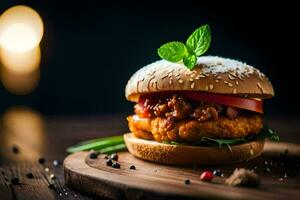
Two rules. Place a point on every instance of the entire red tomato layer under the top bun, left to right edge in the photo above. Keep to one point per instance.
(255, 105)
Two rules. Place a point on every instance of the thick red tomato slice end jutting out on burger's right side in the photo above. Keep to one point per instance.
(255, 105)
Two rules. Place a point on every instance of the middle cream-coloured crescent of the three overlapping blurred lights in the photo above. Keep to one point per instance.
(21, 62)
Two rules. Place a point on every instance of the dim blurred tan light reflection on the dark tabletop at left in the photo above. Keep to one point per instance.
(22, 126)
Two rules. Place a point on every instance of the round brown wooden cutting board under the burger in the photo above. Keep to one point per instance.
(155, 181)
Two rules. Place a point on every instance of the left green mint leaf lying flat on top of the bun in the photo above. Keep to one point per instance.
(172, 51)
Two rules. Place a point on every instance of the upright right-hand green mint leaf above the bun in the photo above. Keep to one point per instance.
(199, 41)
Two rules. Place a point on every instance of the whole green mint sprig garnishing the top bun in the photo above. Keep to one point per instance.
(196, 45)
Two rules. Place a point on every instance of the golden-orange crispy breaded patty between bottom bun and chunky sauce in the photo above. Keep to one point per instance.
(189, 130)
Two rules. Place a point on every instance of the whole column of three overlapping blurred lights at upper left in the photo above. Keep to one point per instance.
(21, 30)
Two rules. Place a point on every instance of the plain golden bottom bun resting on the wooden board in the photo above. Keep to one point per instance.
(191, 155)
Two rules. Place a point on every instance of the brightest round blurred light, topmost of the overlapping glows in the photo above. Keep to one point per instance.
(21, 29)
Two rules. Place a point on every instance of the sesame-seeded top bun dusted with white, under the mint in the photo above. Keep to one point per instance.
(212, 74)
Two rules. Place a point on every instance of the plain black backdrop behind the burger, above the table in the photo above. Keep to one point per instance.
(90, 49)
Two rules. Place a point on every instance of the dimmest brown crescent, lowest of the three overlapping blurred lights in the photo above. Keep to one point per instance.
(20, 83)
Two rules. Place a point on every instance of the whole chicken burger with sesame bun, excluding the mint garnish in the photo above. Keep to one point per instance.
(210, 115)
